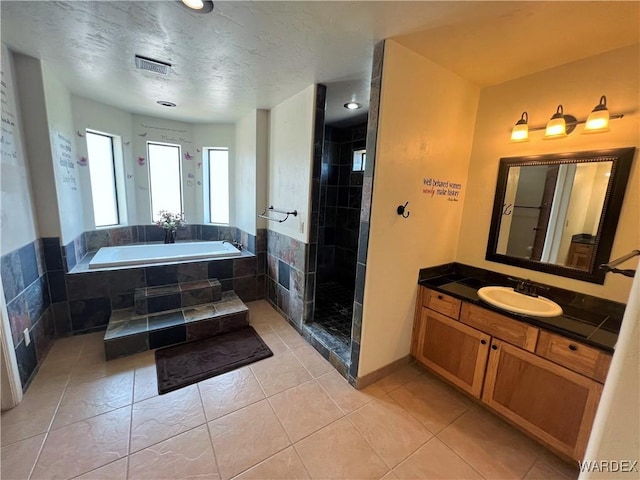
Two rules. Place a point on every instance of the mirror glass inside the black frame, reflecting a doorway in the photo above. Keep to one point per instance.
(552, 212)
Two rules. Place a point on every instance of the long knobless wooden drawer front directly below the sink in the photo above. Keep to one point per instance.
(516, 333)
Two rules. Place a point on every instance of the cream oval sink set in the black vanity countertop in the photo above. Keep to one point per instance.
(508, 299)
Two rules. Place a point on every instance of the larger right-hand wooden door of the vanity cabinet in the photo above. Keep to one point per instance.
(551, 402)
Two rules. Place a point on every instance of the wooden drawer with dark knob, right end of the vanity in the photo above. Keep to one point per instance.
(573, 355)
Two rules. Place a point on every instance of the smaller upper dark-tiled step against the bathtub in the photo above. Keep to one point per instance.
(149, 300)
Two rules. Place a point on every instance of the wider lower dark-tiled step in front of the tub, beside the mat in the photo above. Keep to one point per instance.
(129, 332)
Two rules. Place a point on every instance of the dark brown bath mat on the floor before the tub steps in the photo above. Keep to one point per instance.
(187, 363)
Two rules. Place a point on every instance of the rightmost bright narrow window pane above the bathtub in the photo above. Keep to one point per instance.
(218, 182)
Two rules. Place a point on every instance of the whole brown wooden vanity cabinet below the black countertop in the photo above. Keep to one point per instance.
(545, 383)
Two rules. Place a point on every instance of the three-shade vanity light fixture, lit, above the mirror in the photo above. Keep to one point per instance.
(561, 124)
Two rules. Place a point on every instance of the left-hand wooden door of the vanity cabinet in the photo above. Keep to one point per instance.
(453, 350)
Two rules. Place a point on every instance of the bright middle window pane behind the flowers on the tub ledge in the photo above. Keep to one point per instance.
(165, 178)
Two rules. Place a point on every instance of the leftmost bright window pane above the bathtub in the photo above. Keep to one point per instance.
(100, 151)
